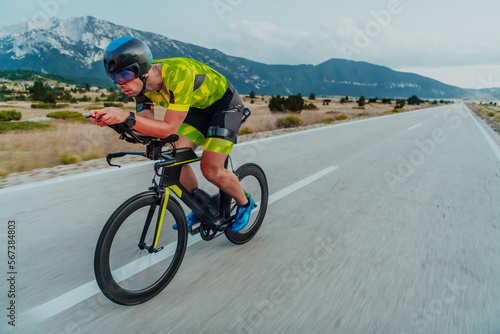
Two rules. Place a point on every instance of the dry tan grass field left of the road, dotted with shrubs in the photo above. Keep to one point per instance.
(67, 142)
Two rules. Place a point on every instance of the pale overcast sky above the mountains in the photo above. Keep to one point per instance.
(456, 42)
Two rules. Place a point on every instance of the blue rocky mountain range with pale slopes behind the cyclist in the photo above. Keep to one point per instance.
(74, 48)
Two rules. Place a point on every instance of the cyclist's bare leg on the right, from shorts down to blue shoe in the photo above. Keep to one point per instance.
(212, 167)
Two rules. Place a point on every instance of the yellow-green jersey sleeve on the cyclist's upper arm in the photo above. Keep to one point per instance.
(180, 82)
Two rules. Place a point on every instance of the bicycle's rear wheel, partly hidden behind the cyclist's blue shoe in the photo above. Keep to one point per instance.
(254, 184)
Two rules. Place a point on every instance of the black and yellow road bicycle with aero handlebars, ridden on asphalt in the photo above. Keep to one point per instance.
(138, 252)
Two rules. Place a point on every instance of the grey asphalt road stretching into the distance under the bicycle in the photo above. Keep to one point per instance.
(385, 225)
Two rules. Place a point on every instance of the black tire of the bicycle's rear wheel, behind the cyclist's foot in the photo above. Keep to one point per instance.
(249, 169)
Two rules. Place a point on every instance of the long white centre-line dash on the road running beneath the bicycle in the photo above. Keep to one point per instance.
(80, 294)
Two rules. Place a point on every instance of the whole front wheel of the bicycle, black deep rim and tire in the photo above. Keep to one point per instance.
(127, 272)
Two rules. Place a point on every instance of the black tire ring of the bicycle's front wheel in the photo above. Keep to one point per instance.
(110, 288)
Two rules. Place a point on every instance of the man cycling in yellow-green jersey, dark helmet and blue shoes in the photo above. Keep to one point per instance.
(202, 108)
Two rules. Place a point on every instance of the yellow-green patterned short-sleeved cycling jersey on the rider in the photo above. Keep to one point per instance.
(187, 83)
